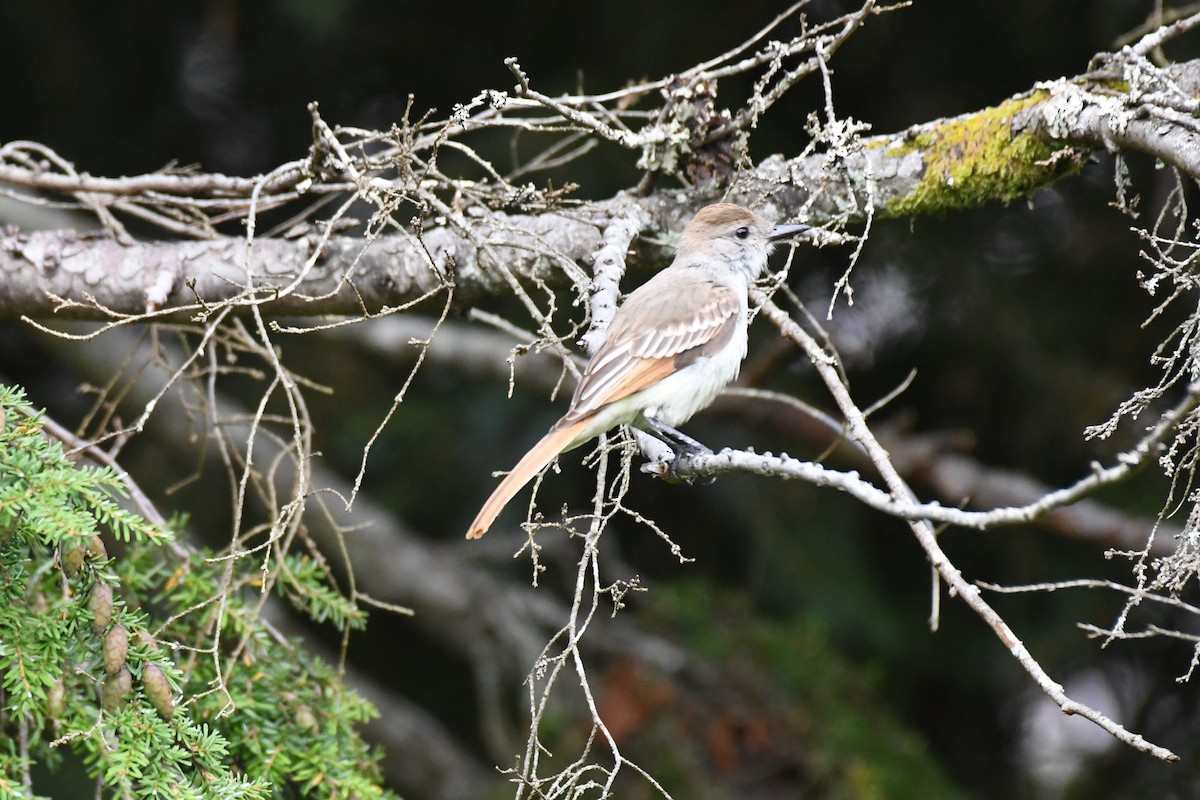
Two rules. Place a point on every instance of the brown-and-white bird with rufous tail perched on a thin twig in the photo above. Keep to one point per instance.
(673, 346)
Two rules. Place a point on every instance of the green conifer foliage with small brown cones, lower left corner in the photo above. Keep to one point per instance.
(139, 665)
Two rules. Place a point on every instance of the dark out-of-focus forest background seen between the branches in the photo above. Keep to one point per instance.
(1023, 324)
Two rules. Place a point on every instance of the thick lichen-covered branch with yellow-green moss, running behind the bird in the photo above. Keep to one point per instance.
(998, 154)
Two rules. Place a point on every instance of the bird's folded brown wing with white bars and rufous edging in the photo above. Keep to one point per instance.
(663, 327)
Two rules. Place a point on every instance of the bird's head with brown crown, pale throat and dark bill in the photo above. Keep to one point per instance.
(733, 234)
